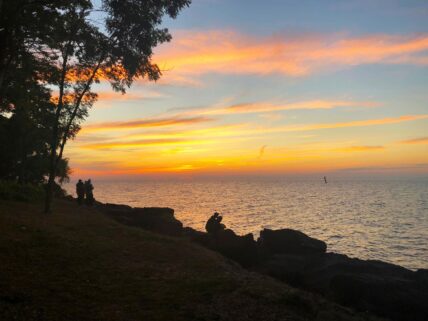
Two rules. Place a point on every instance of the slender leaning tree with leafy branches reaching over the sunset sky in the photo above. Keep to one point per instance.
(84, 55)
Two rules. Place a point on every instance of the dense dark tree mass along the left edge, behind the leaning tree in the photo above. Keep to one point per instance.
(25, 95)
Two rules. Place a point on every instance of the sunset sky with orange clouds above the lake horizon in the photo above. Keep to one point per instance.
(274, 87)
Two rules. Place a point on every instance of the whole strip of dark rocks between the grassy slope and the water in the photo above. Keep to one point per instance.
(384, 289)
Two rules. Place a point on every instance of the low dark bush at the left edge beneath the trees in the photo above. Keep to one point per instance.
(10, 190)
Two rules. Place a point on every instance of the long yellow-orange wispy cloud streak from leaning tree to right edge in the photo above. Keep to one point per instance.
(175, 129)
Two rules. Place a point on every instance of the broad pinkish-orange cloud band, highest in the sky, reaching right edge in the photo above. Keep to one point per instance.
(222, 51)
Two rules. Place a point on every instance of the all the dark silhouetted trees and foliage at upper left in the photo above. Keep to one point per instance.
(51, 55)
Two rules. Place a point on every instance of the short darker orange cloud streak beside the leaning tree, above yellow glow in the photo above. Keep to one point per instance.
(145, 123)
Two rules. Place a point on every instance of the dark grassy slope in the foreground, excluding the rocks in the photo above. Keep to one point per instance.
(77, 264)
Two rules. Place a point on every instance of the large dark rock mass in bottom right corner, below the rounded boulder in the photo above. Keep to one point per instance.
(385, 289)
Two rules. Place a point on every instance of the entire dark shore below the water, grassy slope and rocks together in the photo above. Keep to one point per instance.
(122, 248)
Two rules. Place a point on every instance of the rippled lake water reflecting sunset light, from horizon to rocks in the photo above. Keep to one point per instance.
(384, 220)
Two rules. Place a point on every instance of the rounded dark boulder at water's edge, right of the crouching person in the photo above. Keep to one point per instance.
(290, 242)
